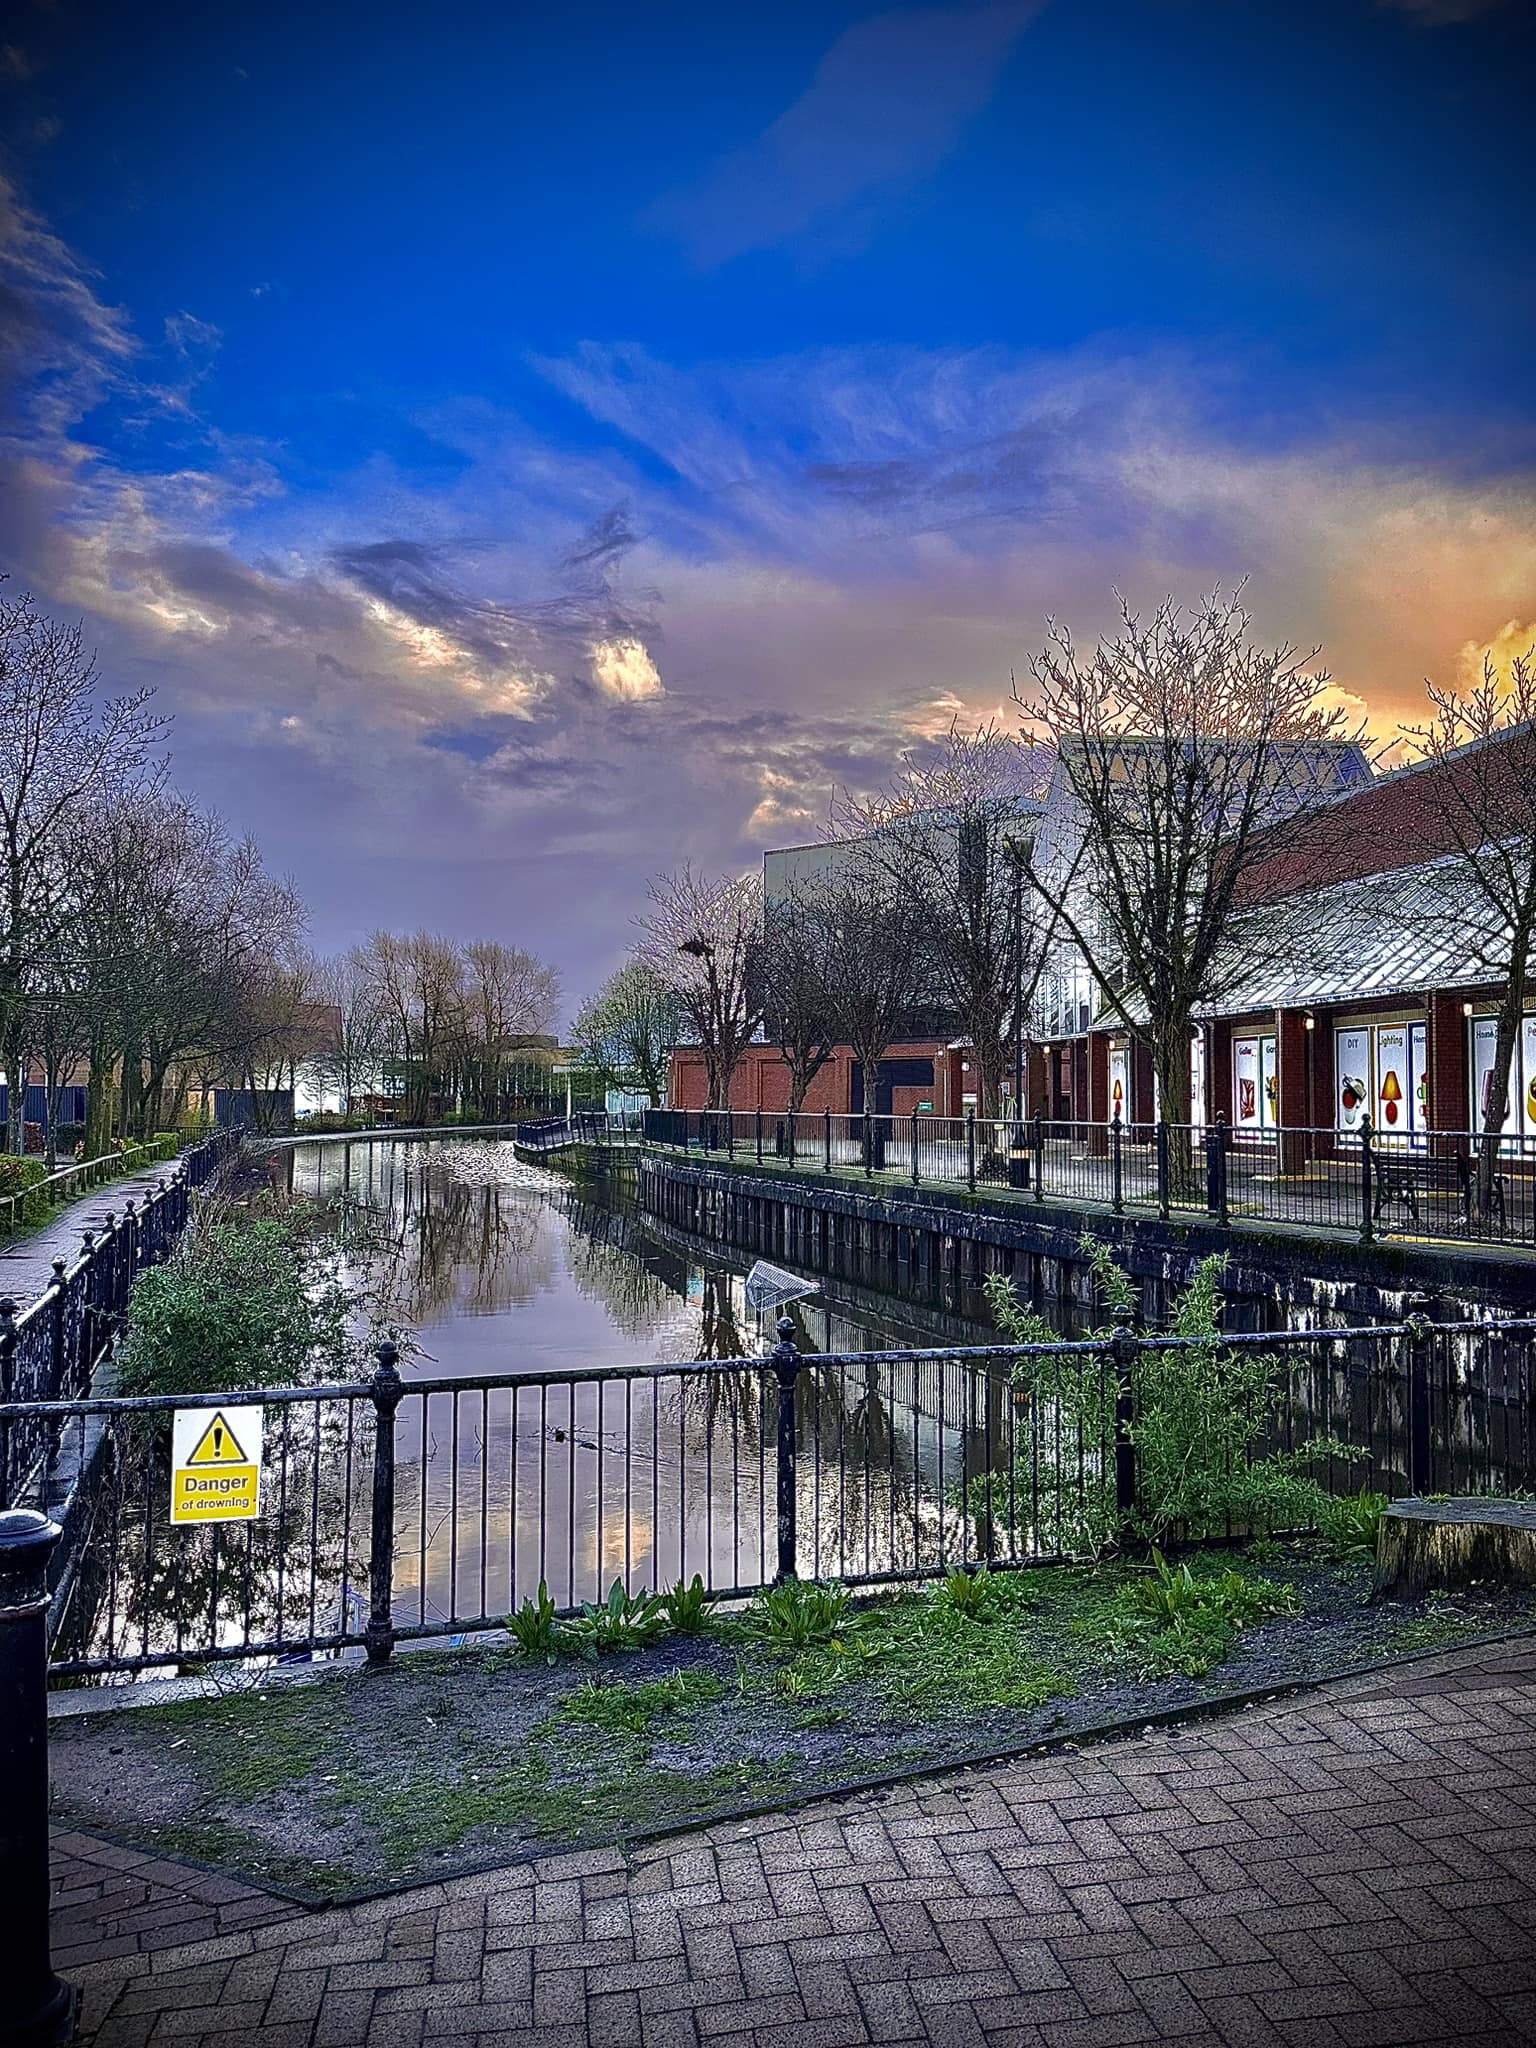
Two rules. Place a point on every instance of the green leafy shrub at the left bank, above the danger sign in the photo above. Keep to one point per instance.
(255, 1297)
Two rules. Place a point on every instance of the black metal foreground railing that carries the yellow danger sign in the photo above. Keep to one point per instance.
(421, 1508)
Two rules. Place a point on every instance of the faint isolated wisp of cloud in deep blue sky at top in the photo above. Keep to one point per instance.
(886, 108)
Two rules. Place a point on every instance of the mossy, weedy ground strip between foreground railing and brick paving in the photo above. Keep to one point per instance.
(454, 1758)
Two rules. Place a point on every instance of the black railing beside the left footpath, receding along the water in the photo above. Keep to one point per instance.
(52, 1347)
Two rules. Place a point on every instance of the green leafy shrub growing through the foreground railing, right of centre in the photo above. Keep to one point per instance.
(1201, 1414)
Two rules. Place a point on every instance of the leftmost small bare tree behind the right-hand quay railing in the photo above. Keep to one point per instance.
(703, 939)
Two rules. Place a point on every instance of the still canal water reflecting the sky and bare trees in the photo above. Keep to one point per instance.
(503, 1269)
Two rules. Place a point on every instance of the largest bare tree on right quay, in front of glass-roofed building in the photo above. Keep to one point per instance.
(1179, 740)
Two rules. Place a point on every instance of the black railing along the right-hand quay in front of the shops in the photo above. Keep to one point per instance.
(1365, 1183)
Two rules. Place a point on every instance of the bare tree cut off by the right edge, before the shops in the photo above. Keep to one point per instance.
(1482, 746)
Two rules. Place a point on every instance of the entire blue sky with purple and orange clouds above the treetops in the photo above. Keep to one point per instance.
(527, 450)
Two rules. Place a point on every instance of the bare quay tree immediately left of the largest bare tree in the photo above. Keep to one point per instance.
(953, 830)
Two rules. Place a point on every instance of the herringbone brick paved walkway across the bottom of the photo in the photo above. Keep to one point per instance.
(1353, 1867)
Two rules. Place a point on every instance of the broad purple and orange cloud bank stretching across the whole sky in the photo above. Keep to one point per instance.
(560, 667)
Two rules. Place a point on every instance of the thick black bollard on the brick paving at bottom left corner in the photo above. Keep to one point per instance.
(38, 2008)
